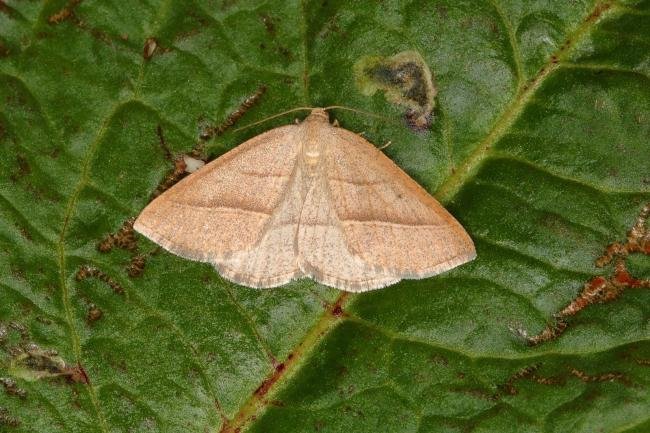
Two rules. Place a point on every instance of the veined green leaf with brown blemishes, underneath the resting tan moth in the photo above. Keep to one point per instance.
(540, 146)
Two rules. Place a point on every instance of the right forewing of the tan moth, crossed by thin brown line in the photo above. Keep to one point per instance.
(389, 221)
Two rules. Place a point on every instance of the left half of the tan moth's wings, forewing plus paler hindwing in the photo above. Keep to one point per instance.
(239, 212)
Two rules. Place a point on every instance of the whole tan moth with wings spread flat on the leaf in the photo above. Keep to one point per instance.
(307, 200)
